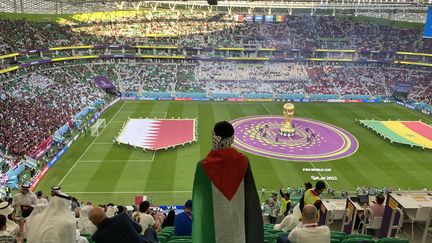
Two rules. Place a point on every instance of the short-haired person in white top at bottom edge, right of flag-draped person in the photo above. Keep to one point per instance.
(308, 230)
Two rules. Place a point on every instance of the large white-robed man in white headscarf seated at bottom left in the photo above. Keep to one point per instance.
(55, 223)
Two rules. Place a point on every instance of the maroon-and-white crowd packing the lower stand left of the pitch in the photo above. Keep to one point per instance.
(34, 105)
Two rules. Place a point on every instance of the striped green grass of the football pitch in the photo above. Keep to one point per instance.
(96, 170)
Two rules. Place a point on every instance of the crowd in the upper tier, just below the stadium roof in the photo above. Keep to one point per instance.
(202, 29)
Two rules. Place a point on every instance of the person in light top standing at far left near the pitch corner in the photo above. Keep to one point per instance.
(23, 201)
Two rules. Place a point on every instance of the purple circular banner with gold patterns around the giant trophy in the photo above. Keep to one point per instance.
(312, 141)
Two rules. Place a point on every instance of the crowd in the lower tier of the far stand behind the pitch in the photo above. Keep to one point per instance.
(243, 78)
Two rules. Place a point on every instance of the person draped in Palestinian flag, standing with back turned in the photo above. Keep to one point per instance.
(226, 204)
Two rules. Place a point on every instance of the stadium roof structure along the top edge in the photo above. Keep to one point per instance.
(380, 8)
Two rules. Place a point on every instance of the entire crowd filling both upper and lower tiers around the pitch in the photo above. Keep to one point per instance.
(29, 101)
